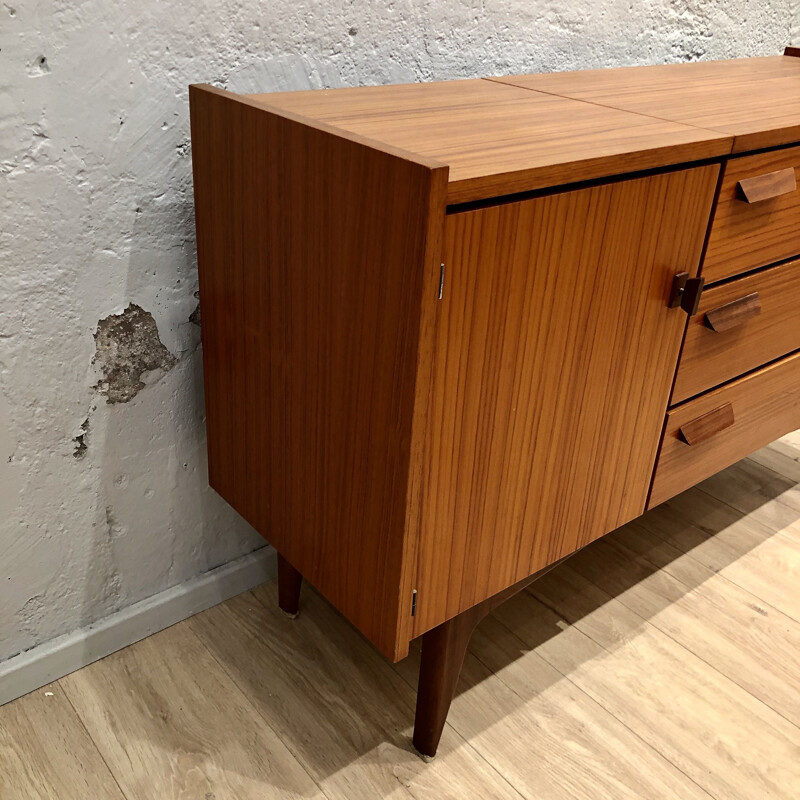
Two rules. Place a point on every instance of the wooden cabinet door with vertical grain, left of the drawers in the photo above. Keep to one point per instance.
(554, 356)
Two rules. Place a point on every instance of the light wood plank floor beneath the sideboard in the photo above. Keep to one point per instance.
(661, 662)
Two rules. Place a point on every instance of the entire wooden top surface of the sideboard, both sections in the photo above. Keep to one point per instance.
(519, 133)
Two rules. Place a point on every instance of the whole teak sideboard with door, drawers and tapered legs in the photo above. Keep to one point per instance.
(453, 332)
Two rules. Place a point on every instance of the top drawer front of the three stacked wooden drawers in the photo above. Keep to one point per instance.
(757, 220)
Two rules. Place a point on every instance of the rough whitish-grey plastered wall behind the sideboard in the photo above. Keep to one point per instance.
(103, 497)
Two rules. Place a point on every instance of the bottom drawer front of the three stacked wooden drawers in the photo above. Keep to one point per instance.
(716, 429)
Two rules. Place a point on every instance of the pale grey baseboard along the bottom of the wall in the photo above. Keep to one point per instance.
(52, 660)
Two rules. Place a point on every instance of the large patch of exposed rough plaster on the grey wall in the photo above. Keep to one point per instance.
(128, 349)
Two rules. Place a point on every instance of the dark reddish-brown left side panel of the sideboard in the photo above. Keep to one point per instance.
(313, 251)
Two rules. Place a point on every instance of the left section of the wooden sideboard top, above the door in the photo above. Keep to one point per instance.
(500, 139)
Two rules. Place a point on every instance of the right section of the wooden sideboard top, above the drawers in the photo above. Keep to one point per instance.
(754, 100)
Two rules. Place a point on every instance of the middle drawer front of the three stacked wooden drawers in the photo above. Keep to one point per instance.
(740, 326)
